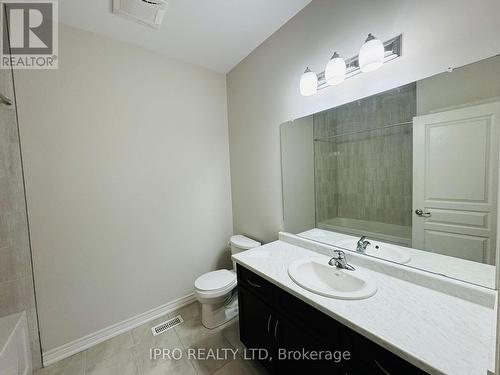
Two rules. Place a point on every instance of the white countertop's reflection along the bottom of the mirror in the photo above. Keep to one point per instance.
(460, 269)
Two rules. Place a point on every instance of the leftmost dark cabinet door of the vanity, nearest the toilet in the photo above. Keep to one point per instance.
(256, 322)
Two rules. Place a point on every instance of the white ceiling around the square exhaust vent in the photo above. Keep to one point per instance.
(215, 34)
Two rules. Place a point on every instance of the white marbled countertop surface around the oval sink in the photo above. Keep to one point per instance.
(436, 332)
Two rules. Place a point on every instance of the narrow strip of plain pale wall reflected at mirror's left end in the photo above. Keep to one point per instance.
(297, 164)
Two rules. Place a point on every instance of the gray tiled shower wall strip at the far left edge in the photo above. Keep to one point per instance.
(16, 277)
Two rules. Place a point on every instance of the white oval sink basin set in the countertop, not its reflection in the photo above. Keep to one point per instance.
(319, 277)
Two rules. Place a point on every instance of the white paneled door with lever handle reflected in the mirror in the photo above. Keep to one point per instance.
(455, 179)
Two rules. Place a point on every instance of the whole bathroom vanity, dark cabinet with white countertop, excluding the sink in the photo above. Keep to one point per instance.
(404, 328)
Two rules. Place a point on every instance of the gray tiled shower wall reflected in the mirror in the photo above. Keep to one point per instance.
(360, 172)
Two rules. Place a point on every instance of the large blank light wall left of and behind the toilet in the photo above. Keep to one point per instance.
(127, 171)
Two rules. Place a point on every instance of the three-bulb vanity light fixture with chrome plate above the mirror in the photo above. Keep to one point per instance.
(369, 59)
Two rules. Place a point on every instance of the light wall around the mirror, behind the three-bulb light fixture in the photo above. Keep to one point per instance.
(263, 88)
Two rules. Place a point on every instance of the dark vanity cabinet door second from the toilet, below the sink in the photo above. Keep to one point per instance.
(298, 352)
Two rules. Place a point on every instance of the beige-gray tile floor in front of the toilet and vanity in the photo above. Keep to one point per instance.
(129, 353)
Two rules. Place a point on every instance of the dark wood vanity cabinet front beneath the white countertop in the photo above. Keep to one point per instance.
(297, 338)
